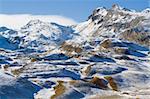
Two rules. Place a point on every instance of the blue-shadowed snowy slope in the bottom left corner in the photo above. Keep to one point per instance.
(11, 87)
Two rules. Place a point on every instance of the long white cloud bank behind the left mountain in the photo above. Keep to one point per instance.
(19, 20)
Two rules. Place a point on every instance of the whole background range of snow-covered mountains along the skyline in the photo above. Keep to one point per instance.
(116, 22)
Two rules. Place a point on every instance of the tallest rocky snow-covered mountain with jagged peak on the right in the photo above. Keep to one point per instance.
(116, 22)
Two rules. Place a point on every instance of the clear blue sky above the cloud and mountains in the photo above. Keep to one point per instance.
(78, 10)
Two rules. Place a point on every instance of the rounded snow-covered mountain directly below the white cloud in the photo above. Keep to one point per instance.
(44, 35)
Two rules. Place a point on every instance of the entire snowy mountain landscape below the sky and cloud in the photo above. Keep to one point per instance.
(107, 56)
